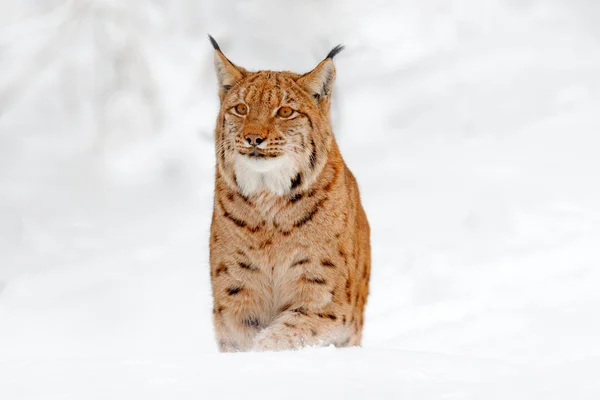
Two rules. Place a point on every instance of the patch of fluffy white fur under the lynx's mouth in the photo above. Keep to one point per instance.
(270, 174)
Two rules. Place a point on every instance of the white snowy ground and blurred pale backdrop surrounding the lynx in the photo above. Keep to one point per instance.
(472, 127)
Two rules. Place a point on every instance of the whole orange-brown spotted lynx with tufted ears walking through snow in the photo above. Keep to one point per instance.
(289, 246)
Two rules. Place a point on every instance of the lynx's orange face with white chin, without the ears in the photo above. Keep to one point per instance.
(268, 129)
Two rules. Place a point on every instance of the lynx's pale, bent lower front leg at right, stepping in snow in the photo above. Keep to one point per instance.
(299, 328)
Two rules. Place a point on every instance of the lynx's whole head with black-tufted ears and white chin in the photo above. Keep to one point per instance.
(273, 131)
